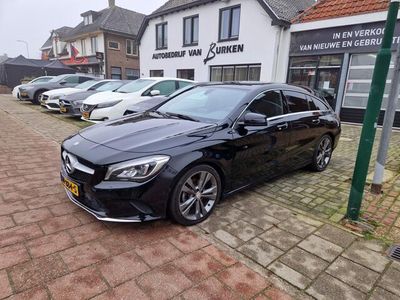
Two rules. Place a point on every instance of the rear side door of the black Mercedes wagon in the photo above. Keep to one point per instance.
(305, 126)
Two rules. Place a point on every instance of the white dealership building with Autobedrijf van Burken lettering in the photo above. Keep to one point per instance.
(225, 40)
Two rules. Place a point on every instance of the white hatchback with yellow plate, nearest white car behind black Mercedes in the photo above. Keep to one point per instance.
(111, 105)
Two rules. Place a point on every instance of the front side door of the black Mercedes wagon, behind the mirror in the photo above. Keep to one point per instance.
(260, 151)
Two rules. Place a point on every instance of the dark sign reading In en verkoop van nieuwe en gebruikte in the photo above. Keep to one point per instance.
(354, 38)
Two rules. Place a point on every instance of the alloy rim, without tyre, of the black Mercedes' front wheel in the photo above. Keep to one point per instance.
(198, 195)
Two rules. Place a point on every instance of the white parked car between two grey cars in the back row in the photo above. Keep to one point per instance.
(51, 99)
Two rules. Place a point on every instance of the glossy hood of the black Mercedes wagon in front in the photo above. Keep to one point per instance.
(145, 133)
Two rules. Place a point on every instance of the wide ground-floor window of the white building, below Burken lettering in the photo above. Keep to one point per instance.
(235, 73)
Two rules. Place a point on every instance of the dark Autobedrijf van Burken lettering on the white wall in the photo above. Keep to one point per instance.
(213, 51)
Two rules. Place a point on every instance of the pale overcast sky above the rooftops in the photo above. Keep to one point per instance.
(32, 20)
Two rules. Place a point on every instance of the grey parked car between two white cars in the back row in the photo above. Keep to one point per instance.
(71, 104)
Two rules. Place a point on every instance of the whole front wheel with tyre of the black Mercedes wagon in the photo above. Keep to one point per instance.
(190, 203)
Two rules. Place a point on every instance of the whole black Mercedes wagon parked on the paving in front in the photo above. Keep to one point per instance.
(183, 156)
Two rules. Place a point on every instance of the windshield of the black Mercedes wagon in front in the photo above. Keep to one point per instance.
(206, 104)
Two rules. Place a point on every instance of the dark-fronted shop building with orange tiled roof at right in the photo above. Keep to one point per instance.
(333, 49)
